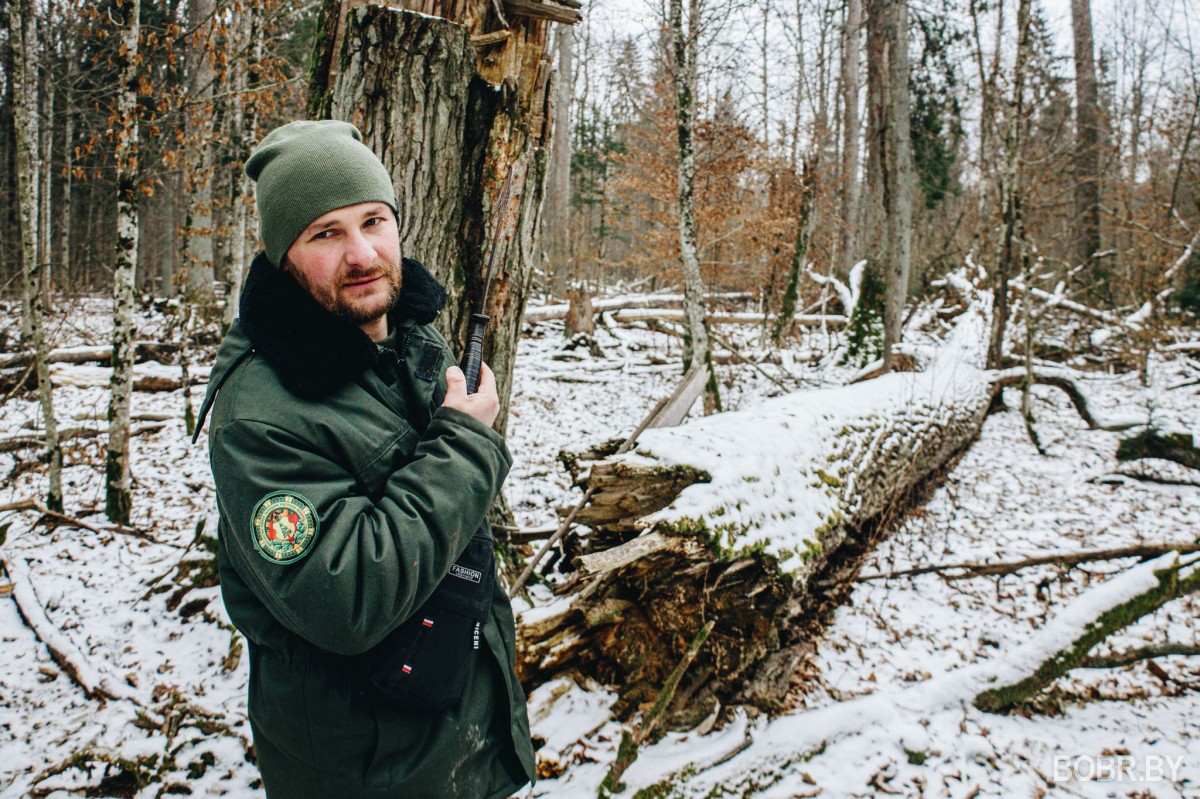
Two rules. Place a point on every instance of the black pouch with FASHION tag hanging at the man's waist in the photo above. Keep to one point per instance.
(423, 665)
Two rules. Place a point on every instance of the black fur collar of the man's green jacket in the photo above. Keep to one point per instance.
(313, 351)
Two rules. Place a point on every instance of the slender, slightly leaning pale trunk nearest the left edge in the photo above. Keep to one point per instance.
(23, 33)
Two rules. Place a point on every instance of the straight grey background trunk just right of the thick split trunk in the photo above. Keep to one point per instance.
(556, 226)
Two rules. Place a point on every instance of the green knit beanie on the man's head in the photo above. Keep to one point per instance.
(309, 169)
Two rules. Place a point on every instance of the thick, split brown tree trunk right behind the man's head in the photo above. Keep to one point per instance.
(449, 141)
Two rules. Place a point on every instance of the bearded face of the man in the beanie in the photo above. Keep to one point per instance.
(350, 261)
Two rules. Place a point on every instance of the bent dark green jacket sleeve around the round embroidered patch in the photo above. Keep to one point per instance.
(373, 563)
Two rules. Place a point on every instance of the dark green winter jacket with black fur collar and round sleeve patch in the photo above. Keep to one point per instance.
(346, 494)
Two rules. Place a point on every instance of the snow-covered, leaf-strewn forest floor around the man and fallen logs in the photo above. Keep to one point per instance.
(178, 659)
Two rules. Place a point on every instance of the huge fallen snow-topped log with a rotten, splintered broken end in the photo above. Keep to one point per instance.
(731, 516)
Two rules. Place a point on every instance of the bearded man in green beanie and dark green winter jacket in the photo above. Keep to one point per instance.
(352, 482)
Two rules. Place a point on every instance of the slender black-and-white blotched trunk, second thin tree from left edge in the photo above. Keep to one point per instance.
(118, 496)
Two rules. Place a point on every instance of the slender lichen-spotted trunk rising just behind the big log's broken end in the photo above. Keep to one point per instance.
(686, 49)
